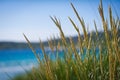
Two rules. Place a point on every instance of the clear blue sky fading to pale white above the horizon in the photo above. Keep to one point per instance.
(32, 17)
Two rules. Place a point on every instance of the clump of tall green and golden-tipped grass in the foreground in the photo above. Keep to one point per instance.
(105, 66)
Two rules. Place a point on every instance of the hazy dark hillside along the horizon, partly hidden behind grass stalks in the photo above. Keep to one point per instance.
(14, 45)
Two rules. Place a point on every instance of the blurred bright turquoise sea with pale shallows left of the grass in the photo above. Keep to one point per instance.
(17, 61)
